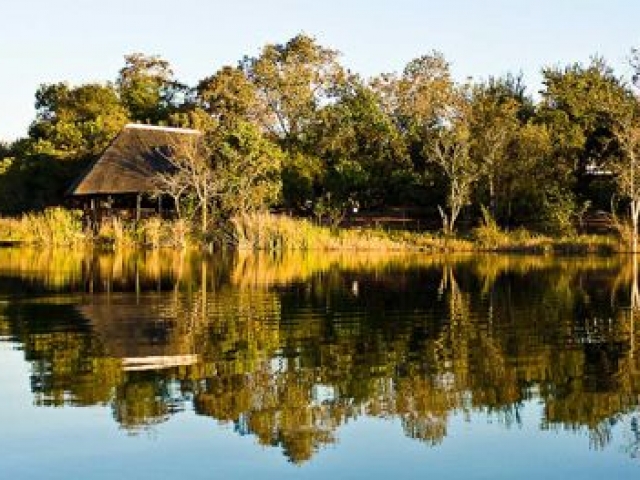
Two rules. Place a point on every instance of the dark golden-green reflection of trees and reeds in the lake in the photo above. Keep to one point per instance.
(287, 349)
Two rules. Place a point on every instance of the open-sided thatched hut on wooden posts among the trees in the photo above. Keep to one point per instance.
(123, 177)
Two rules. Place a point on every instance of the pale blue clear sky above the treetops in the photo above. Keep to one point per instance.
(80, 41)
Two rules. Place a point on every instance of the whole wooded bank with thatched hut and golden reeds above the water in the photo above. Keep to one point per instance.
(290, 150)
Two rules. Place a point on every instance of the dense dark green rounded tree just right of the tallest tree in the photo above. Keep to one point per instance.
(361, 151)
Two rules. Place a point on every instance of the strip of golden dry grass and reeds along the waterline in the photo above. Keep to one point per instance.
(266, 232)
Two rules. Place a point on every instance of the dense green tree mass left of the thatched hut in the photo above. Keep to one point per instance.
(72, 126)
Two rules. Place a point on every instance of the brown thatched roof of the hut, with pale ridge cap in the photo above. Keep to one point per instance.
(131, 161)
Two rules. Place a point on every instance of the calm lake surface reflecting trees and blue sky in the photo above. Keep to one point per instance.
(165, 365)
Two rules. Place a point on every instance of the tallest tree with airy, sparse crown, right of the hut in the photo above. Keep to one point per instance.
(294, 81)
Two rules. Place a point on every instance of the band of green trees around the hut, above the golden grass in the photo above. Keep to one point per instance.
(329, 140)
